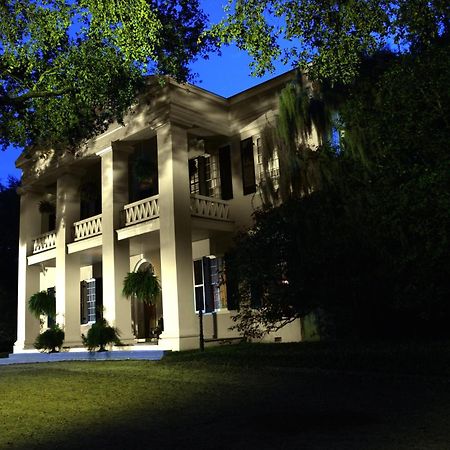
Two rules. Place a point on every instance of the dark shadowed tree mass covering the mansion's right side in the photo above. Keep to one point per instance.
(371, 247)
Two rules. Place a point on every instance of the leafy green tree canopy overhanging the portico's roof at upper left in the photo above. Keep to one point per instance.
(69, 68)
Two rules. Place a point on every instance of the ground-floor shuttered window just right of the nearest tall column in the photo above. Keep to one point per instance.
(209, 286)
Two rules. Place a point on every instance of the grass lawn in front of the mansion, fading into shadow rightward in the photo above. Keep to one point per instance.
(303, 396)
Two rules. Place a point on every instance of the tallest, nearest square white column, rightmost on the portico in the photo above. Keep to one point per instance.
(180, 321)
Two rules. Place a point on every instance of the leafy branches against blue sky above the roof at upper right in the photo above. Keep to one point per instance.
(330, 38)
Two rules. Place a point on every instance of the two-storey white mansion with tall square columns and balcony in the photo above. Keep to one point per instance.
(168, 188)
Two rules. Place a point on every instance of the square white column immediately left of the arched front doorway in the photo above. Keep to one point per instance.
(115, 254)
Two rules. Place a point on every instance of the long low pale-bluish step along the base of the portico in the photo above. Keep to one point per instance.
(116, 355)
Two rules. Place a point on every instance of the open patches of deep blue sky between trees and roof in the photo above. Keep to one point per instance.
(225, 75)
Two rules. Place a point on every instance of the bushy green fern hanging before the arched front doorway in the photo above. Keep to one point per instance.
(143, 285)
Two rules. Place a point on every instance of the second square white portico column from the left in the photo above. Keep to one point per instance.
(67, 274)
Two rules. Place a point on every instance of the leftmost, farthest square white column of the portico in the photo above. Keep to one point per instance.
(28, 276)
